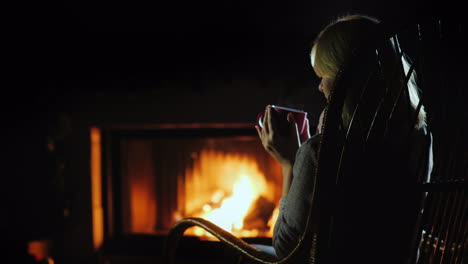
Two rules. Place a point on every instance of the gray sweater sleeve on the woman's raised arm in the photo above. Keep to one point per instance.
(295, 205)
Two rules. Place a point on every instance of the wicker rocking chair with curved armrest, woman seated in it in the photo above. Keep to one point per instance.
(366, 209)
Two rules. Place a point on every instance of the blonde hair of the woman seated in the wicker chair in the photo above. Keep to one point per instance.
(336, 43)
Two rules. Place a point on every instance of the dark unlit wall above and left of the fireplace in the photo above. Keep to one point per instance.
(75, 64)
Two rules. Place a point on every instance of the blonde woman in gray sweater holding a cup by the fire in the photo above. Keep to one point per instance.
(332, 49)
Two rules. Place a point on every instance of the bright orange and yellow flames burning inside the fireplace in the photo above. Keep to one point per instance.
(236, 190)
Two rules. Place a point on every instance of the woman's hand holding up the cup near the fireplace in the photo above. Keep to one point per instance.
(282, 146)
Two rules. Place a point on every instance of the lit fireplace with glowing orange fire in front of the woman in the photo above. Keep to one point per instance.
(156, 175)
